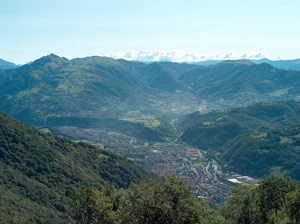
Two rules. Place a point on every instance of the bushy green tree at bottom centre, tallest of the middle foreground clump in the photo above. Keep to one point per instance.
(169, 202)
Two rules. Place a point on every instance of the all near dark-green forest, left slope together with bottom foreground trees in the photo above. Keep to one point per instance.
(47, 179)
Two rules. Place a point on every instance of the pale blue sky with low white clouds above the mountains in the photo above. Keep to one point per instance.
(154, 29)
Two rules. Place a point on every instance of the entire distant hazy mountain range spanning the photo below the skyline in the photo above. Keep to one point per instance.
(53, 86)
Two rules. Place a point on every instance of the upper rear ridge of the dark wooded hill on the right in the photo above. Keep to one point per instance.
(257, 117)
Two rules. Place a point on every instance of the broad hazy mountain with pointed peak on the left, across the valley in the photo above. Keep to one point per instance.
(54, 86)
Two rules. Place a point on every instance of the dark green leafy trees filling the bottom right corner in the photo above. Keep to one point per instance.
(274, 201)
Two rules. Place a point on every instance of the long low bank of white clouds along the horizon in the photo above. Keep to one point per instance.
(186, 56)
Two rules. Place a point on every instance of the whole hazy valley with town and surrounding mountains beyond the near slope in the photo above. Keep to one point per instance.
(166, 116)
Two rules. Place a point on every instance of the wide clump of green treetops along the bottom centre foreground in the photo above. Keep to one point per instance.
(169, 202)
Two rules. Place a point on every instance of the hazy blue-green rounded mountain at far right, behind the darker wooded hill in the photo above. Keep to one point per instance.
(242, 81)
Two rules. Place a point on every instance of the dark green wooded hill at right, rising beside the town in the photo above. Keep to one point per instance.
(255, 140)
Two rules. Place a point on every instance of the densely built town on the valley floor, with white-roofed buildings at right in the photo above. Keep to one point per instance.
(192, 165)
